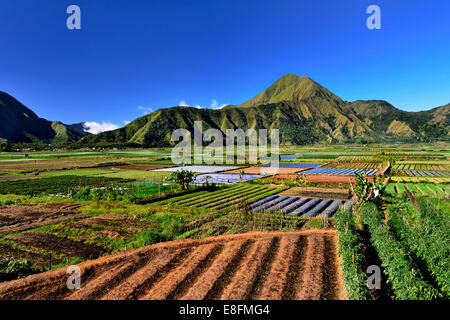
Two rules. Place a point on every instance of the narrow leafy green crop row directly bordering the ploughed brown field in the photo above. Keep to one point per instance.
(350, 250)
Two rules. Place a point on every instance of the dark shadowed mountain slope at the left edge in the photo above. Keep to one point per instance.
(20, 124)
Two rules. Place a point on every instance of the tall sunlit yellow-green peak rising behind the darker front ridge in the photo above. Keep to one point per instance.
(289, 87)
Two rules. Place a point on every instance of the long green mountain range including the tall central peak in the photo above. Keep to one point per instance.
(304, 111)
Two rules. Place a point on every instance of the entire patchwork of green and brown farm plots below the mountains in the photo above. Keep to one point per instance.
(138, 233)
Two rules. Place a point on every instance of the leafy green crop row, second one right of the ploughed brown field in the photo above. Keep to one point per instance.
(401, 269)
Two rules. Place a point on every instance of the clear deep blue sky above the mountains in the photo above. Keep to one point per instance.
(133, 56)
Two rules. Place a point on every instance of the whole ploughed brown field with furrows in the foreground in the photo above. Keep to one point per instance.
(260, 265)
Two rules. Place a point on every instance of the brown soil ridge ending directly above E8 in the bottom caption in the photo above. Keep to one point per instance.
(243, 279)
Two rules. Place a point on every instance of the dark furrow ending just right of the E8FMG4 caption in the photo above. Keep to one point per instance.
(293, 278)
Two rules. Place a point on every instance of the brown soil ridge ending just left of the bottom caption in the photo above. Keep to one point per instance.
(175, 278)
